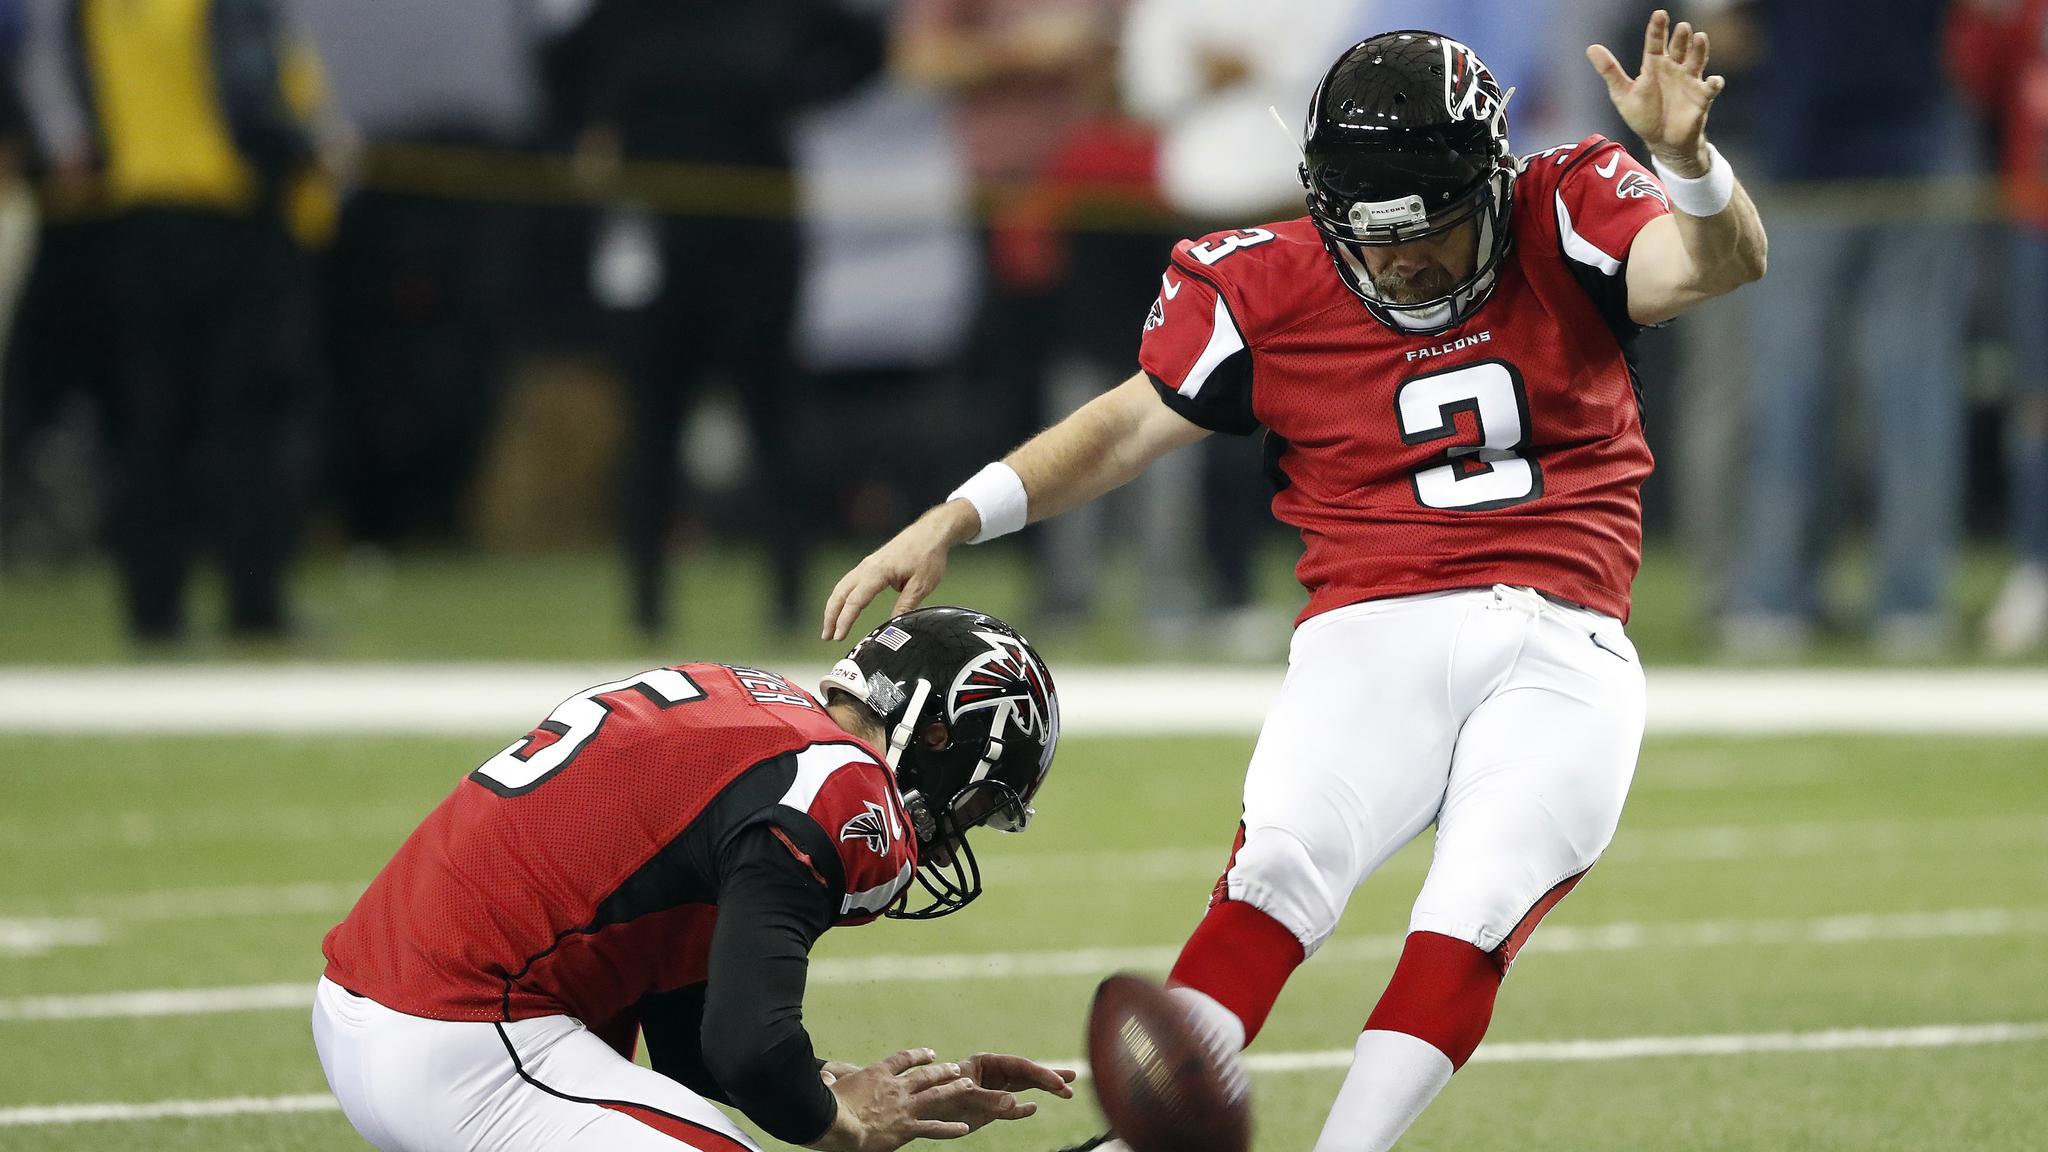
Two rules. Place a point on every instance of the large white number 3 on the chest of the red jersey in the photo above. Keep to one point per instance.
(1471, 477)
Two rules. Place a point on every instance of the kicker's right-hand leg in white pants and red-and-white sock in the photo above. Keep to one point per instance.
(1537, 788)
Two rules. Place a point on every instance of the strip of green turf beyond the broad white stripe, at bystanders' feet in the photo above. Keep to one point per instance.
(570, 606)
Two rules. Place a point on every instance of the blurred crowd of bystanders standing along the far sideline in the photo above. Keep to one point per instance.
(296, 278)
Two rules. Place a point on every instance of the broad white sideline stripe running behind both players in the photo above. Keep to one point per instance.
(1144, 700)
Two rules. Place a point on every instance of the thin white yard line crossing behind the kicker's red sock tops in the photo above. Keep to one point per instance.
(1103, 960)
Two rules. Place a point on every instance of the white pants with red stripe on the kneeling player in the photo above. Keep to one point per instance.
(419, 1085)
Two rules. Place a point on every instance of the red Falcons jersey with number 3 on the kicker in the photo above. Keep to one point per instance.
(1502, 452)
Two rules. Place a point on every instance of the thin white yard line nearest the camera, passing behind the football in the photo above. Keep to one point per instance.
(1271, 1063)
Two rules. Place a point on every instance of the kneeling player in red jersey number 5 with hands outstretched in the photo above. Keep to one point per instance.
(658, 860)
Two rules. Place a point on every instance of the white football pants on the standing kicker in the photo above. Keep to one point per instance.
(1508, 721)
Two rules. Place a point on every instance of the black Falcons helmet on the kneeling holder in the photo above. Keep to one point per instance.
(972, 725)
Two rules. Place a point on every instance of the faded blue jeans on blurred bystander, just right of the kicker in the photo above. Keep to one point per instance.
(1881, 306)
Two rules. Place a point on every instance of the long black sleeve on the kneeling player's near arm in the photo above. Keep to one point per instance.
(773, 907)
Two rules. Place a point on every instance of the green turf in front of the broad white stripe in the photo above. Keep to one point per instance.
(220, 862)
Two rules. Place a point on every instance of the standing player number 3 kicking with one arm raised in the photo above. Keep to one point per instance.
(1439, 356)
